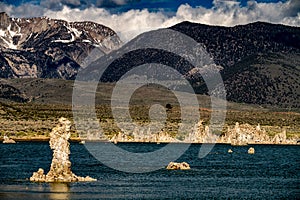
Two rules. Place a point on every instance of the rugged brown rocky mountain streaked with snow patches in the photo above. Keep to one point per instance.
(49, 48)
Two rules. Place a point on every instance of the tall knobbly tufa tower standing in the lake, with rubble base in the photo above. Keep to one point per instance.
(60, 170)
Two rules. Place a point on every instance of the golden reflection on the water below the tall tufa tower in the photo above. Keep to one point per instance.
(59, 191)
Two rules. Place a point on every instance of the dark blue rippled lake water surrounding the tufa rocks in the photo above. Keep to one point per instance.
(273, 172)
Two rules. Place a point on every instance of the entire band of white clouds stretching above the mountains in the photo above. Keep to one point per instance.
(134, 22)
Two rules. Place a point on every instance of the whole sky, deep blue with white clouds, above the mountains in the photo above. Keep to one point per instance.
(132, 17)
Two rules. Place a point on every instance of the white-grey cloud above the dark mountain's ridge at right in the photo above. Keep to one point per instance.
(229, 13)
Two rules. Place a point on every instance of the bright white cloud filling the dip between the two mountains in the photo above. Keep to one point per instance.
(127, 25)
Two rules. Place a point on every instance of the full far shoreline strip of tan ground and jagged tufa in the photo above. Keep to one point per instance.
(239, 135)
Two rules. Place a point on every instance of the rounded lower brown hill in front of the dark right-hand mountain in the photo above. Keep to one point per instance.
(272, 79)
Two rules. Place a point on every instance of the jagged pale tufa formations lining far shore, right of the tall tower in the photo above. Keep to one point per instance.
(238, 135)
